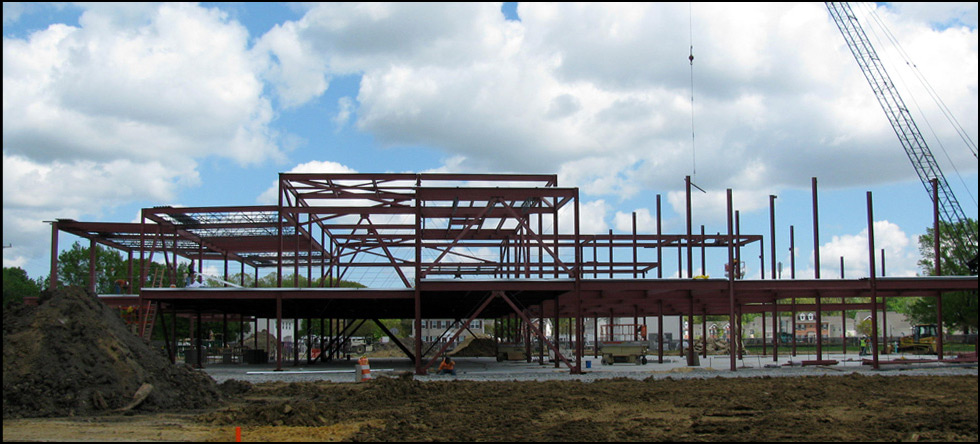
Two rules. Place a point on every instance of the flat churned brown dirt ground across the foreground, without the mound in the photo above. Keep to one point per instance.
(831, 408)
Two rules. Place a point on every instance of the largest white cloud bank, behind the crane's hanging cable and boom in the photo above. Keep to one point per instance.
(600, 93)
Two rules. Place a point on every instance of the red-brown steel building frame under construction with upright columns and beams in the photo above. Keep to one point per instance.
(460, 246)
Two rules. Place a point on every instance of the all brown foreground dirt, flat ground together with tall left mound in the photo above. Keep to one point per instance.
(72, 371)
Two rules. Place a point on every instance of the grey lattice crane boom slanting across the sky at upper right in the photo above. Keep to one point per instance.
(901, 120)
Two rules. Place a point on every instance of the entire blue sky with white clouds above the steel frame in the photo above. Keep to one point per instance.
(110, 108)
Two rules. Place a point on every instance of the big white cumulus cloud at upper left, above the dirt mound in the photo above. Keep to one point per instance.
(122, 107)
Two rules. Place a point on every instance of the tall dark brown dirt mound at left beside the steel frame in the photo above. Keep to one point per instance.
(73, 355)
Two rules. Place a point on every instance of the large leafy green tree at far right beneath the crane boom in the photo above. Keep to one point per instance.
(959, 308)
